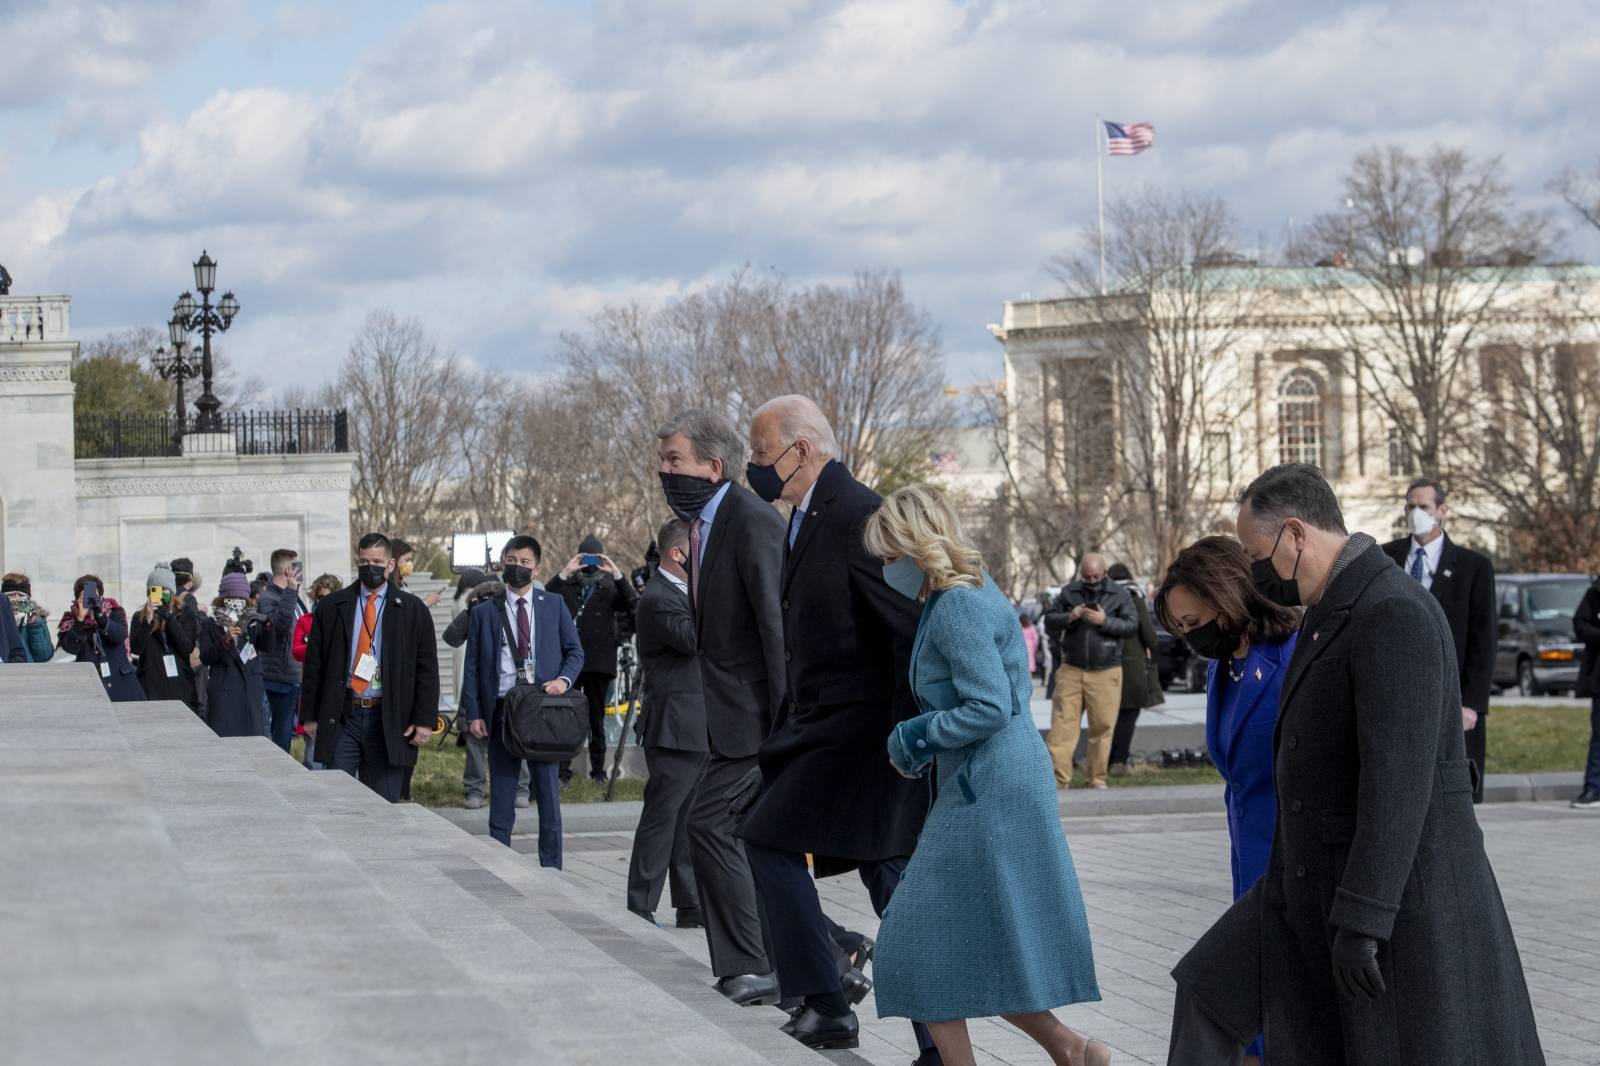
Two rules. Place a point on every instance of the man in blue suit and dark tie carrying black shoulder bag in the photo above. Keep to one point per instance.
(543, 631)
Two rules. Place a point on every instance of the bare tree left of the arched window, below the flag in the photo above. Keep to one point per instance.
(1161, 371)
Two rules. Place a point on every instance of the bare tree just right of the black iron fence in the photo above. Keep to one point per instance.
(406, 398)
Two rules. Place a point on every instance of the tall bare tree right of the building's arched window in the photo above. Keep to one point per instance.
(1430, 247)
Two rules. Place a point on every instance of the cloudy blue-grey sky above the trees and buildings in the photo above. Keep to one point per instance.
(503, 170)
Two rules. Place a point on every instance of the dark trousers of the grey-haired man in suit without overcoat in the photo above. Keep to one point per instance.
(722, 873)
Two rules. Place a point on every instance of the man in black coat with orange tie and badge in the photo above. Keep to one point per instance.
(369, 713)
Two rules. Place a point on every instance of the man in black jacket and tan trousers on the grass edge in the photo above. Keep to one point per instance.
(1090, 620)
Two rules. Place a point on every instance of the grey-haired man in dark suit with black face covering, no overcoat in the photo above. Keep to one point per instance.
(737, 556)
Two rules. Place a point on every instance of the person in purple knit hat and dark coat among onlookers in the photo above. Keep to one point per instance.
(233, 641)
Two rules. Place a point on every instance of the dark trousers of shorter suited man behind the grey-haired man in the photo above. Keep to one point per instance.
(662, 844)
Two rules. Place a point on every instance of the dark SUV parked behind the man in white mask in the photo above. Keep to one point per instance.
(1537, 651)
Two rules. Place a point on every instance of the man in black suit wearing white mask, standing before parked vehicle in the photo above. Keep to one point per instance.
(1463, 582)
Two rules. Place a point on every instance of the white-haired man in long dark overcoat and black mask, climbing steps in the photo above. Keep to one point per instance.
(826, 785)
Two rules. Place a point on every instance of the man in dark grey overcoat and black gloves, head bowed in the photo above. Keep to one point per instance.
(1378, 934)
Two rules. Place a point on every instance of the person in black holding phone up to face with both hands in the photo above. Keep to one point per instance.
(599, 596)
